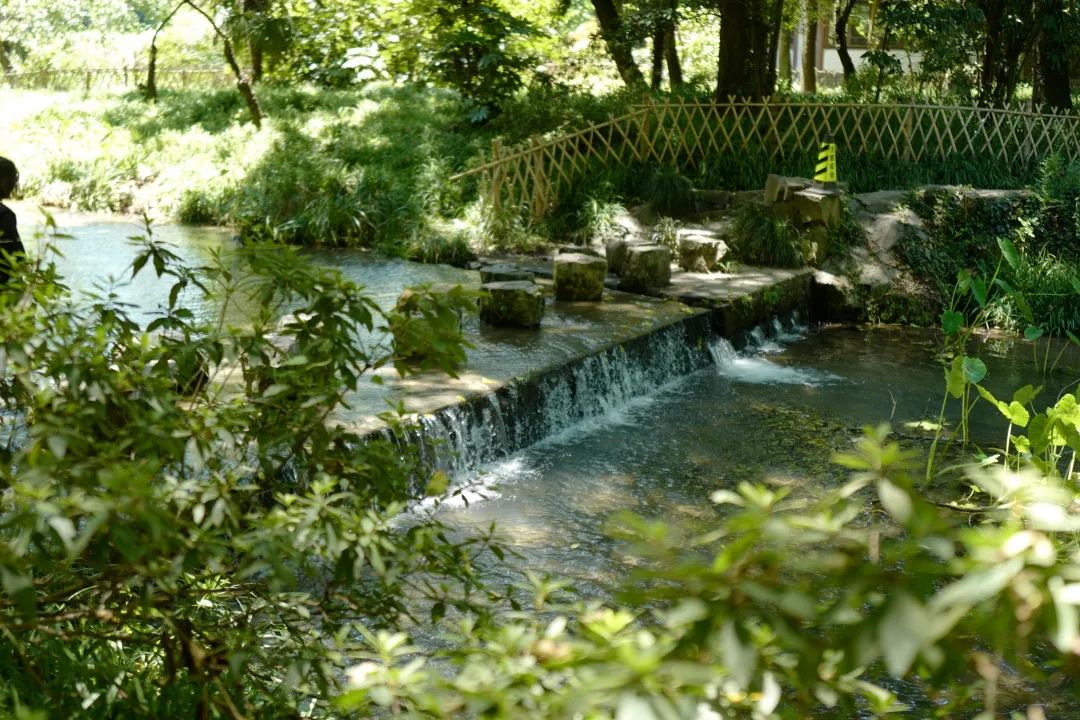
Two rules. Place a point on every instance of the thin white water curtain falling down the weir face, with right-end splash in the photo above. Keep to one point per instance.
(464, 439)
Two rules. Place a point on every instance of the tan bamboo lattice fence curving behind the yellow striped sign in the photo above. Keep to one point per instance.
(531, 176)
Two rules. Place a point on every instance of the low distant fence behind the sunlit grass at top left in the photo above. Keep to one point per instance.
(91, 79)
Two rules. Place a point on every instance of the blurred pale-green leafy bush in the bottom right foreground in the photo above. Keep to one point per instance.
(788, 608)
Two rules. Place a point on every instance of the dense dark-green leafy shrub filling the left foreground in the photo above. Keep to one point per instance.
(185, 542)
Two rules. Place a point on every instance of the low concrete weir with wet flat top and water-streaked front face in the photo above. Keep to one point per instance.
(587, 360)
